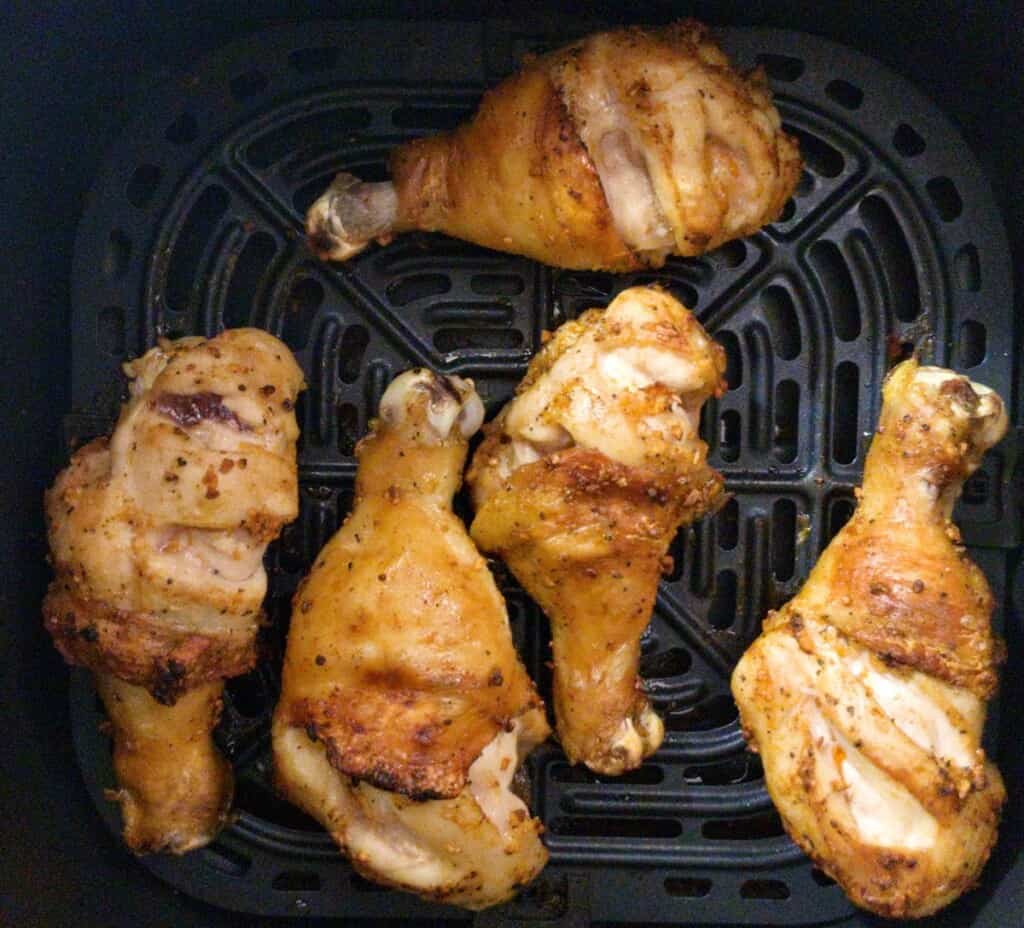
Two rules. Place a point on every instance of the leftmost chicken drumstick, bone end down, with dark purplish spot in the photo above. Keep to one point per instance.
(158, 537)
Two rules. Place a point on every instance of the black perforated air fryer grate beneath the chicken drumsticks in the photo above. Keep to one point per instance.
(891, 243)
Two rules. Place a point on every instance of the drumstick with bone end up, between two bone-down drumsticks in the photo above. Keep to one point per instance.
(405, 710)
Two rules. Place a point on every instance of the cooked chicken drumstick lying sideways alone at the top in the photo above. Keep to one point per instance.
(612, 153)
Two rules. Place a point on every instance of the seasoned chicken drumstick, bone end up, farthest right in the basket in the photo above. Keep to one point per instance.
(866, 694)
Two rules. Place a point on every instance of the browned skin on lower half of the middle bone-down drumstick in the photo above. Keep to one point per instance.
(587, 538)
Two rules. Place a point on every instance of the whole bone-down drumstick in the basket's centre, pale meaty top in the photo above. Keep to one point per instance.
(581, 485)
